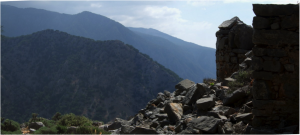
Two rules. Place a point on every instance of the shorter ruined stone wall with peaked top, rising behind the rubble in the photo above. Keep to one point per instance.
(234, 39)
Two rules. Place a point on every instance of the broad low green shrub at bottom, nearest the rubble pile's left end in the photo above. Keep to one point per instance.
(73, 120)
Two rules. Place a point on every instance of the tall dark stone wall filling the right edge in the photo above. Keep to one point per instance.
(276, 64)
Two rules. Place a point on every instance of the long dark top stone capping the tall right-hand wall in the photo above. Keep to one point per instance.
(273, 10)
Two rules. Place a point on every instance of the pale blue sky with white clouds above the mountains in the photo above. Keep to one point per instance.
(194, 21)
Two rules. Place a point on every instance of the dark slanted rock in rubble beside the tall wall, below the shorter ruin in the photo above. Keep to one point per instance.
(235, 96)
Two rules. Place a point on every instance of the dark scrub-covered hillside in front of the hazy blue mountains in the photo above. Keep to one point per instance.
(51, 71)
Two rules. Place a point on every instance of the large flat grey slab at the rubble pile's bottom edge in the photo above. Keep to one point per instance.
(206, 124)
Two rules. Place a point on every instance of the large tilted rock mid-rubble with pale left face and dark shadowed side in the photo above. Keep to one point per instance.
(194, 93)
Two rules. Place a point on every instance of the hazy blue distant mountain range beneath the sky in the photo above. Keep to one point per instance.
(186, 59)
